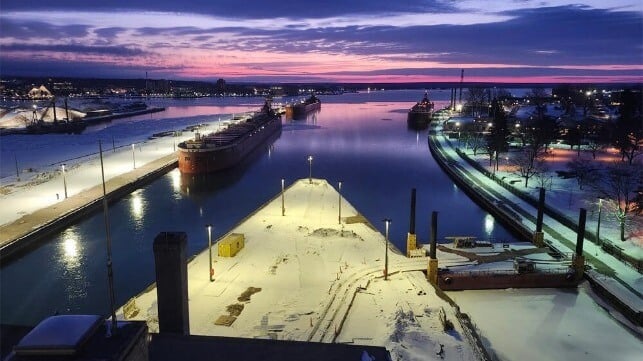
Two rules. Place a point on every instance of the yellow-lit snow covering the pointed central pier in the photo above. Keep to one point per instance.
(308, 268)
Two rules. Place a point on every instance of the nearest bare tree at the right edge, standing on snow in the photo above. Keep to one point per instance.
(619, 184)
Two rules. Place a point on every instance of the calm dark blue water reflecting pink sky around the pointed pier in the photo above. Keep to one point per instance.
(361, 139)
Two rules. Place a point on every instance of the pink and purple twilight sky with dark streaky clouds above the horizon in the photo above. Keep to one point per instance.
(527, 41)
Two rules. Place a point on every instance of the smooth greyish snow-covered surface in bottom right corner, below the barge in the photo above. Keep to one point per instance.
(549, 324)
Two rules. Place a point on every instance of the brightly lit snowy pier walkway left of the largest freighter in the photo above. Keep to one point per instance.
(34, 204)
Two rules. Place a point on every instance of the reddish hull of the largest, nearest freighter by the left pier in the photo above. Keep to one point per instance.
(200, 161)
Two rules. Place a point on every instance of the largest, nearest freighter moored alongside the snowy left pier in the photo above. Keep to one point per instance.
(224, 149)
